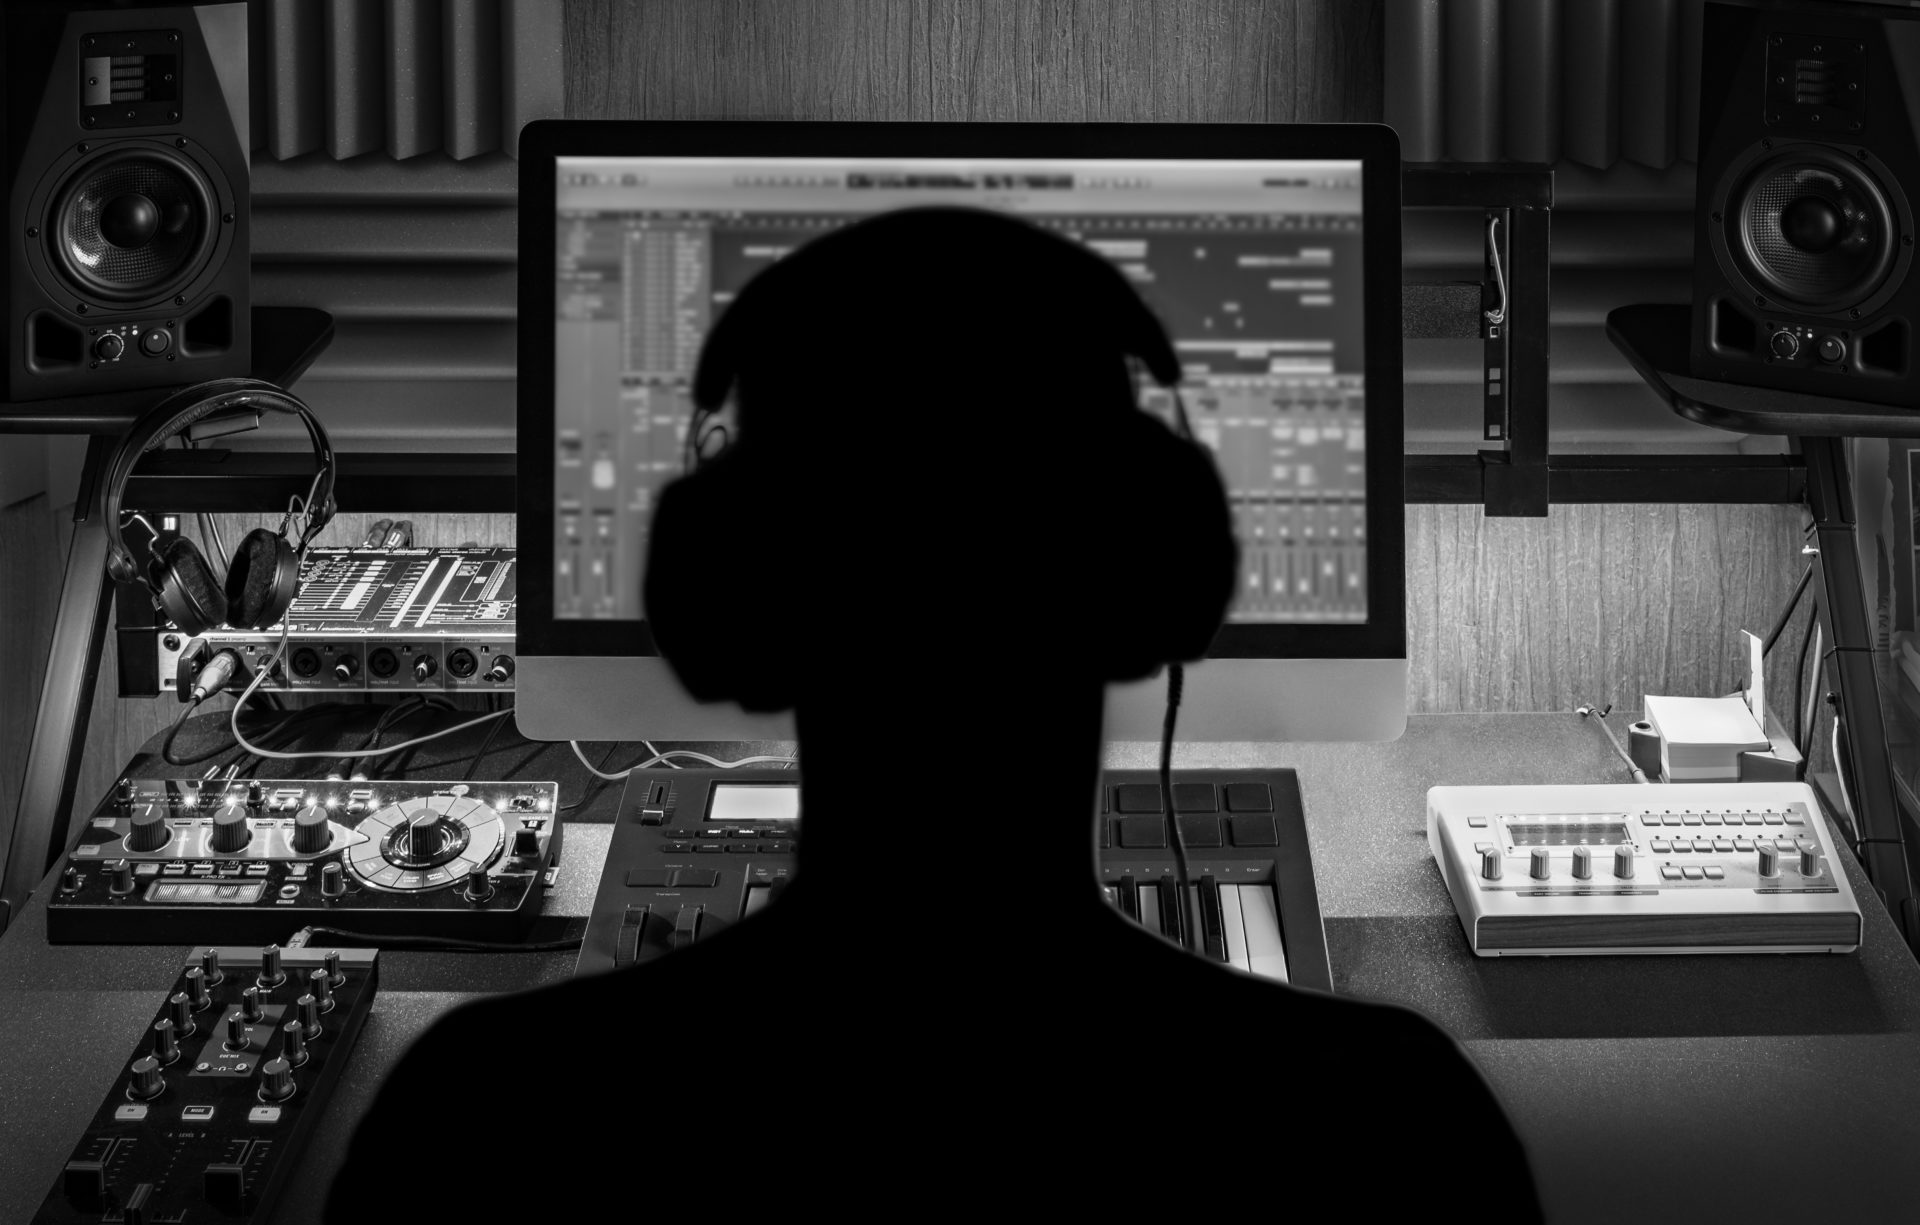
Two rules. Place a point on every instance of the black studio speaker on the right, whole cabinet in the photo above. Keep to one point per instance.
(1804, 235)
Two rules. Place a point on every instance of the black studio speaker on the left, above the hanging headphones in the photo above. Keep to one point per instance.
(128, 256)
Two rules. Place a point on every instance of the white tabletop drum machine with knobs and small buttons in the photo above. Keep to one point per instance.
(1637, 869)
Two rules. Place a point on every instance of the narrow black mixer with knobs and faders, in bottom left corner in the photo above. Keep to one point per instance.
(210, 1115)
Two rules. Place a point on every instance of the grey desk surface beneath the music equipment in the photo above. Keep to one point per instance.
(1664, 1088)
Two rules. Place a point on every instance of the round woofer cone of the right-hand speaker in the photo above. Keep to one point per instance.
(1812, 229)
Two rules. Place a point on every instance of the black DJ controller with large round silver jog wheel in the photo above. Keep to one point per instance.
(170, 861)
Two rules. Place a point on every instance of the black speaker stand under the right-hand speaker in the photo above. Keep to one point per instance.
(1656, 341)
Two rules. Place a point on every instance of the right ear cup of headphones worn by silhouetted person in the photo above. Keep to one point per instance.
(1170, 531)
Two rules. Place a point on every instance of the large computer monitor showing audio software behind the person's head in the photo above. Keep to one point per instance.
(1270, 252)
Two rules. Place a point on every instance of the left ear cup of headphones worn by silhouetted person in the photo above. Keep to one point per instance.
(708, 610)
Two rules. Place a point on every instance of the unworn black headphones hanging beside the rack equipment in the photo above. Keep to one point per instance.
(264, 575)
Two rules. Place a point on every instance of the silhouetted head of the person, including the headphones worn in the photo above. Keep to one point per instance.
(938, 450)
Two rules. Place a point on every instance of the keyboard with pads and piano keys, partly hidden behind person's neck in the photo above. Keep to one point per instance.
(696, 852)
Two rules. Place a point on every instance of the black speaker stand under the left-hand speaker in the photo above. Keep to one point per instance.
(287, 343)
